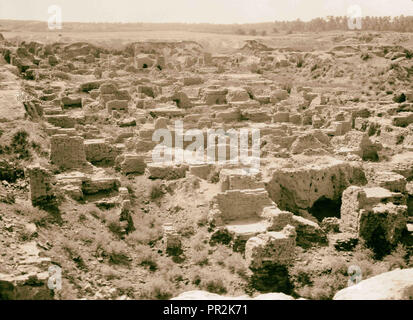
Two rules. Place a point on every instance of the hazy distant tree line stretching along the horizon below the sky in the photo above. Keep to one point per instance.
(398, 24)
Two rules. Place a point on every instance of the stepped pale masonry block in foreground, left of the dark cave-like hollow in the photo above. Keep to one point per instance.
(250, 222)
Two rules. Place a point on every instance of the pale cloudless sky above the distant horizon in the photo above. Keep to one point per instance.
(197, 11)
